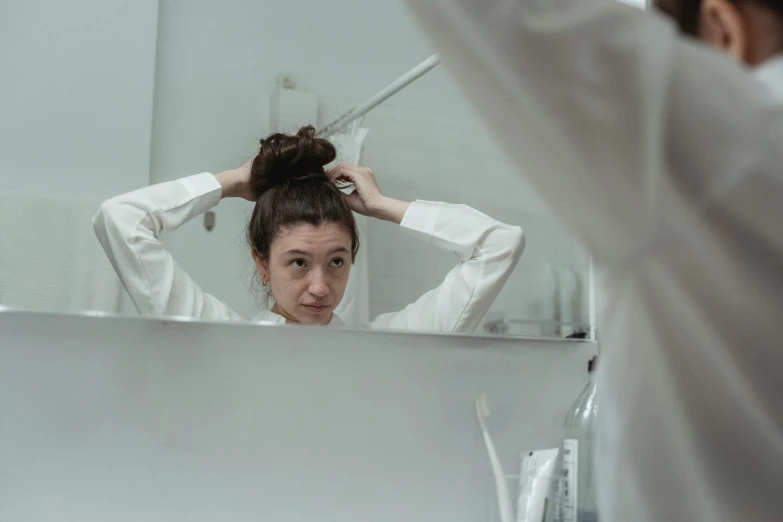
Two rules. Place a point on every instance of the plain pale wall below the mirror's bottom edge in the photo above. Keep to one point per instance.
(140, 419)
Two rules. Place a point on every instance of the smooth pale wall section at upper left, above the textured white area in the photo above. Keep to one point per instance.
(76, 96)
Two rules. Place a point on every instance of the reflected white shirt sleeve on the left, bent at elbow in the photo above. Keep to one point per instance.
(130, 227)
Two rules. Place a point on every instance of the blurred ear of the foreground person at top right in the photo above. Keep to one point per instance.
(722, 26)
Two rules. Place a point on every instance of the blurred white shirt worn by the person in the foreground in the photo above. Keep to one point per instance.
(667, 160)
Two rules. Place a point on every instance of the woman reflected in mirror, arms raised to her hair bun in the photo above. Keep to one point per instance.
(303, 240)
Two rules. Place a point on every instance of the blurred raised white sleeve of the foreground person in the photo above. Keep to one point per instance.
(609, 114)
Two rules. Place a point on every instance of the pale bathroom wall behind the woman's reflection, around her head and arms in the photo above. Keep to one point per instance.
(218, 64)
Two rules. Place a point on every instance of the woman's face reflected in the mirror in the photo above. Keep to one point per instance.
(307, 271)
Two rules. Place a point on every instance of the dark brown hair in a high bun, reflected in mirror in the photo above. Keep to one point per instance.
(291, 188)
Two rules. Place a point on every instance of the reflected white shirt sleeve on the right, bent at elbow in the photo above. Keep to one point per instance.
(488, 252)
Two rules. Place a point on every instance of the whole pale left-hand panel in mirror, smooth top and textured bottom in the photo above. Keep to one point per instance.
(75, 129)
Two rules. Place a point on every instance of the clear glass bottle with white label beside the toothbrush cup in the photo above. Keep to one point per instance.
(577, 487)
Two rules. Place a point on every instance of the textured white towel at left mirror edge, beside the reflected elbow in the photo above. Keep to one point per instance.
(50, 259)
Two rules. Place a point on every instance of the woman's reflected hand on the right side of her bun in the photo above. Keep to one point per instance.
(367, 199)
